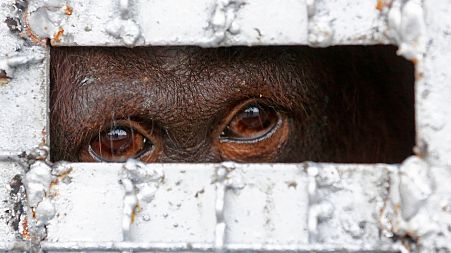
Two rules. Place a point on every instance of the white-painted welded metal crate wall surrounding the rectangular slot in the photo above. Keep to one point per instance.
(372, 204)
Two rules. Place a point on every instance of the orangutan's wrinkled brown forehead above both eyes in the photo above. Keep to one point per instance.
(162, 81)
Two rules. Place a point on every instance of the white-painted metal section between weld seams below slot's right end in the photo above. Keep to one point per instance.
(357, 194)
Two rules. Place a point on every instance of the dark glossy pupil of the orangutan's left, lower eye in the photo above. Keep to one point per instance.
(117, 140)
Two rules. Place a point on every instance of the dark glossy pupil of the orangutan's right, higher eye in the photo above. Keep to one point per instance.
(255, 118)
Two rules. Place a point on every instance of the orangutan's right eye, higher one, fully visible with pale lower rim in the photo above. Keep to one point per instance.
(253, 123)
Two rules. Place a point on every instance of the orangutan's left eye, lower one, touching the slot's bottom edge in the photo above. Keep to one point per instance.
(117, 144)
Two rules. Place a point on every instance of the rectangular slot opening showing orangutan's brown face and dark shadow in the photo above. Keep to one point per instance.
(342, 104)
